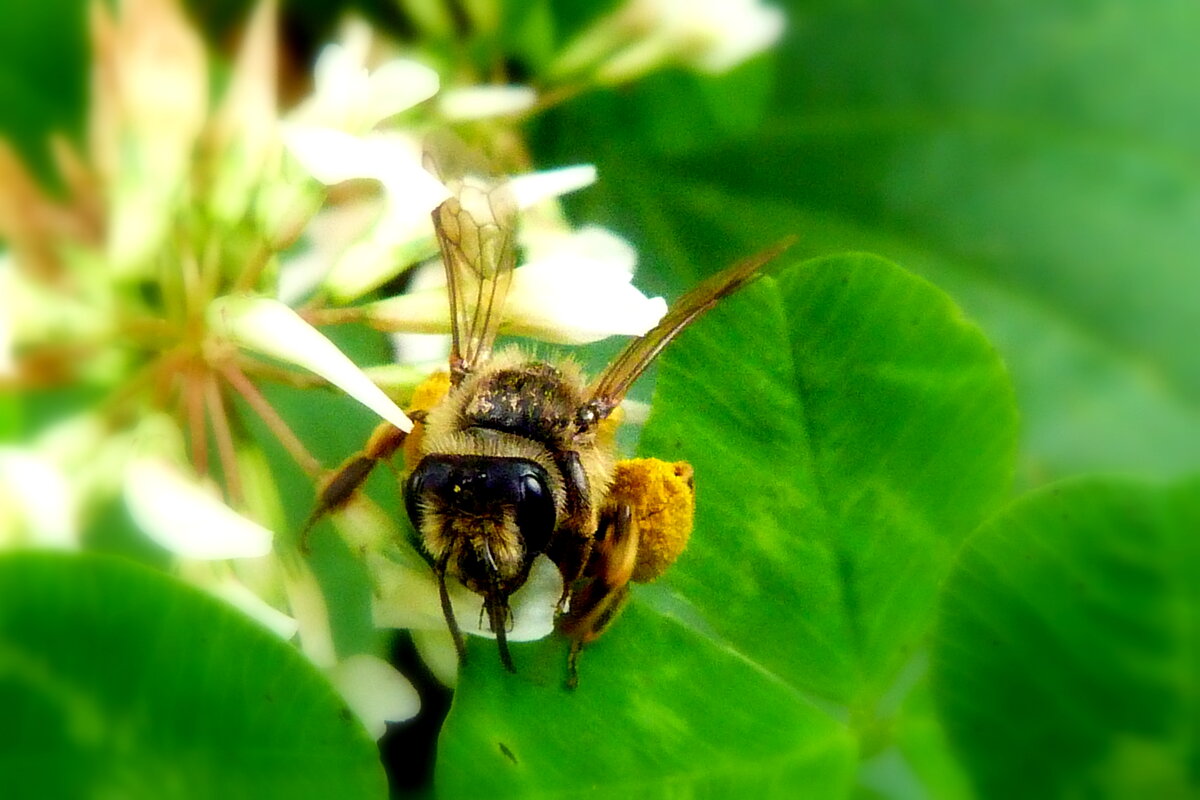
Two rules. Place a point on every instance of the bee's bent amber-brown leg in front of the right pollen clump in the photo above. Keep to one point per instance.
(601, 600)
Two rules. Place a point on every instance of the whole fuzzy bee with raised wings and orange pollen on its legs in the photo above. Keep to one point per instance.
(513, 458)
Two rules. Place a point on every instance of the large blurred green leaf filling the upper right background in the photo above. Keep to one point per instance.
(1036, 159)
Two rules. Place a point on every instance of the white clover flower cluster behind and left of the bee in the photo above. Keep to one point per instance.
(200, 238)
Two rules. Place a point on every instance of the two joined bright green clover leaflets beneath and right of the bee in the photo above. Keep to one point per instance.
(848, 429)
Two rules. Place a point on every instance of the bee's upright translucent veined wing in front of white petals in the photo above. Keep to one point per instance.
(477, 233)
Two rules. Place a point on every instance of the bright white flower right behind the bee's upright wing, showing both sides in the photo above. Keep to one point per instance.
(577, 291)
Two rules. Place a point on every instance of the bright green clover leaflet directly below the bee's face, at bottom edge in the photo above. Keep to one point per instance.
(664, 711)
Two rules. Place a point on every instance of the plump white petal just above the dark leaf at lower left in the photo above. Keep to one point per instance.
(188, 519)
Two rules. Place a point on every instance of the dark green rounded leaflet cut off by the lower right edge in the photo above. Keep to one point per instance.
(1065, 663)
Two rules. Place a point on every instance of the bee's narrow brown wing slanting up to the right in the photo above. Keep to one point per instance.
(610, 388)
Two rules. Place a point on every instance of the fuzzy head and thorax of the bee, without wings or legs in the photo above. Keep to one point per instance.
(513, 420)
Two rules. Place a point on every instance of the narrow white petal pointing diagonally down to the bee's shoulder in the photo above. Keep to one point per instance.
(271, 328)
